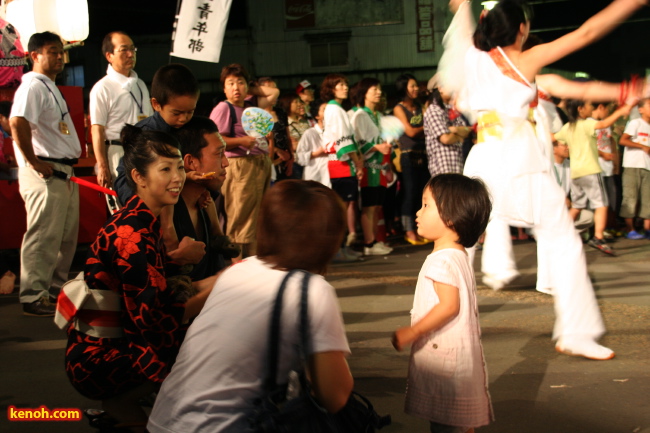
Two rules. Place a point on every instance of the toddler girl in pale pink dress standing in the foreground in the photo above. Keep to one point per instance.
(447, 378)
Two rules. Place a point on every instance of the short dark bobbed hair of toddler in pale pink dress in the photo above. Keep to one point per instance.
(463, 204)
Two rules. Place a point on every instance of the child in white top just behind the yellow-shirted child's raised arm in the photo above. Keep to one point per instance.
(607, 155)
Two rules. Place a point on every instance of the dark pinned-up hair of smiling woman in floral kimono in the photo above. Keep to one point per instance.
(141, 148)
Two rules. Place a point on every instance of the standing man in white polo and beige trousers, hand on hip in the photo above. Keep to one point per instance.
(42, 130)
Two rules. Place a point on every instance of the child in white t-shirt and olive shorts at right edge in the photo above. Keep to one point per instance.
(636, 171)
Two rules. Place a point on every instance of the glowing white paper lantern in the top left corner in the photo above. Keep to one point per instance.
(67, 18)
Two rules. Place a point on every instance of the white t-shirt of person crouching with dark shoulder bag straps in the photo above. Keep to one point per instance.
(223, 360)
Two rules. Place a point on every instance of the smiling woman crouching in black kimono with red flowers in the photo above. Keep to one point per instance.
(120, 354)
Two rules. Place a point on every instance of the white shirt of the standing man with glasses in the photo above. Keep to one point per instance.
(116, 100)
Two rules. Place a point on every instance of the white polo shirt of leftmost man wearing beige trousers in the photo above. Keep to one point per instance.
(41, 103)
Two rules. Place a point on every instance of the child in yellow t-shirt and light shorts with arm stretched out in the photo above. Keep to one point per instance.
(586, 178)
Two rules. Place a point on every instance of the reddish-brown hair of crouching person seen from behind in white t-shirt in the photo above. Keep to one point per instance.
(300, 225)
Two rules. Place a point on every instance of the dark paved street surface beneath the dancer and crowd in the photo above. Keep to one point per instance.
(533, 388)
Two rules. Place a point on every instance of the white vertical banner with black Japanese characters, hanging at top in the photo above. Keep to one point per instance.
(200, 28)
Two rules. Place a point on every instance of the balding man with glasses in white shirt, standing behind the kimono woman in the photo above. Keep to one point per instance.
(118, 98)
